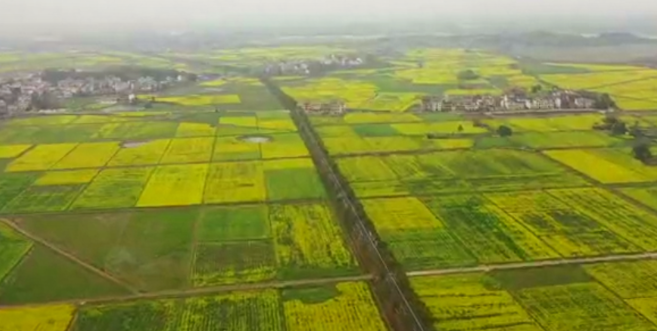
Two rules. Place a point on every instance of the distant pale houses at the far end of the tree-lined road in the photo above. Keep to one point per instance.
(307, 67)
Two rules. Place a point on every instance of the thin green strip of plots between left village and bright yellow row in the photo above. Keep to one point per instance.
(86, 128)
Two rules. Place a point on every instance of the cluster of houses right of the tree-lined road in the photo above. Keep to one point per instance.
(513, 100)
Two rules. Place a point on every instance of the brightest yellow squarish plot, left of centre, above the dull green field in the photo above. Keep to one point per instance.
(175, 185)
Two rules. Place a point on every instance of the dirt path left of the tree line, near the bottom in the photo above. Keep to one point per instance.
(202, 291)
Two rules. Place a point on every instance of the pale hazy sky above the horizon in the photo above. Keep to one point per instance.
(181, 12)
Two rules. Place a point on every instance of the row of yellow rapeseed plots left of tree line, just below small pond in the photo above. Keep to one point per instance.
(161, 151)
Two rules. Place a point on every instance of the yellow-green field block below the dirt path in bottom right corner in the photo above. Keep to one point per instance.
(551, 298)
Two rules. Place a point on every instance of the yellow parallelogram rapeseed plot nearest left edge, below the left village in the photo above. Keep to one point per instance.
(41, 157)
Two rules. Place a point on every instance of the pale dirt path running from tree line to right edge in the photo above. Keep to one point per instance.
(523, 265)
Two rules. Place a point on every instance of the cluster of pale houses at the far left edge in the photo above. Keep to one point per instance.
(18, 93)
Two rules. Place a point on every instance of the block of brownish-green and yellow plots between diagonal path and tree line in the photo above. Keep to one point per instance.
(223, 245)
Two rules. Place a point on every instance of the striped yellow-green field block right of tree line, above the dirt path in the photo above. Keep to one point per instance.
(470, 229)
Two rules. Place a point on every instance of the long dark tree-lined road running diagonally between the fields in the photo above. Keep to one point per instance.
(400, 306)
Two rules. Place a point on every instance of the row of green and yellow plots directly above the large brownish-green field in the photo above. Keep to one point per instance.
(164, 185)
